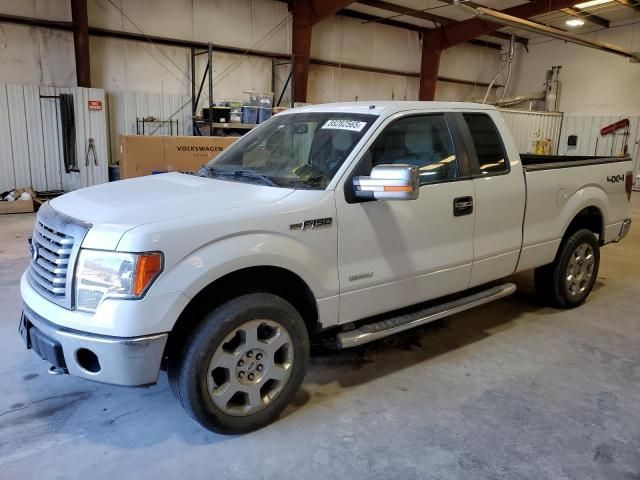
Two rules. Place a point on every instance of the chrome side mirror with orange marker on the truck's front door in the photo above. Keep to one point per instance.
(389, 182)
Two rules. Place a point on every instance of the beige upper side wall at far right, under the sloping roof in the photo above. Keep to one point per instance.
(592, 82)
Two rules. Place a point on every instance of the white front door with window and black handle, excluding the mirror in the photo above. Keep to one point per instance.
(392, 254)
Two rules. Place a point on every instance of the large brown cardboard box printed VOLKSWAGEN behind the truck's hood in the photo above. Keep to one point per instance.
(143, 155)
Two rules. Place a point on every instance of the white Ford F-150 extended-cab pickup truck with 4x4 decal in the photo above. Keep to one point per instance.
(357, 220)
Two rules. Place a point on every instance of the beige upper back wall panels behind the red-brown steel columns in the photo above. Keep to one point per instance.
(41, 56)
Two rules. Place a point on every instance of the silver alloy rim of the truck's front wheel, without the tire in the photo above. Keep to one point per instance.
(250, 367)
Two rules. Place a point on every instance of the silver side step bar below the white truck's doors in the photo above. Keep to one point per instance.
(389, 326)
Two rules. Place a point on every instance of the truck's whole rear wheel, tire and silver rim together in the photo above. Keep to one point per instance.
(567, 281)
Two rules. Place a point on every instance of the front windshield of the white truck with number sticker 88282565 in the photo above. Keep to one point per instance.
(300, 150)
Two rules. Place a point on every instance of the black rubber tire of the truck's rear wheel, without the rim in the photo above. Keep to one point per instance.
(551, 280)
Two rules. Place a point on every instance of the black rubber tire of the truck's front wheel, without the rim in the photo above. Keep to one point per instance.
(188, 370)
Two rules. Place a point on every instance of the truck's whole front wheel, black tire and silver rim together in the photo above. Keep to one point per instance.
(243, 364)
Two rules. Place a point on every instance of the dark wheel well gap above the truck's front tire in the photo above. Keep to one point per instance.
(275, 280)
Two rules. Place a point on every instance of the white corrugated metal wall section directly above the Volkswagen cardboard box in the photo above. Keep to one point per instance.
(125, 107)
